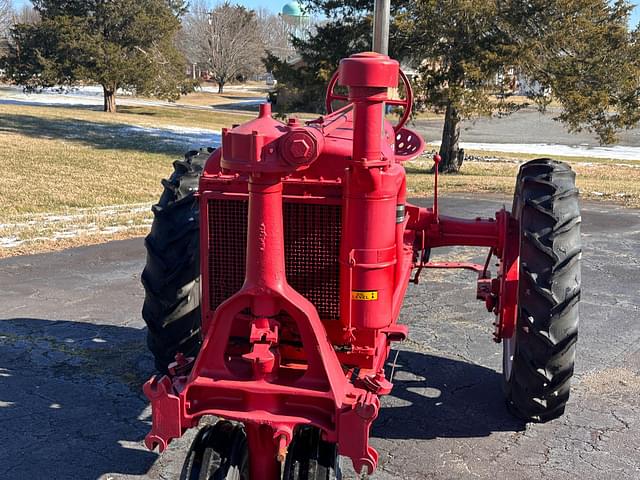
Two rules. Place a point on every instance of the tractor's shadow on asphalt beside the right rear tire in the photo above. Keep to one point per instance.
(442, 397)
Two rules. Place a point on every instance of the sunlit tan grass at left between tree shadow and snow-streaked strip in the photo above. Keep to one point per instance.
(54, 176)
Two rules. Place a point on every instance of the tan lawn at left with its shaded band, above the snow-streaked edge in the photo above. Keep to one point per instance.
(63, 158)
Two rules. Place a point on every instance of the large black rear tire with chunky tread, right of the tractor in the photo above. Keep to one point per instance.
(547, 207)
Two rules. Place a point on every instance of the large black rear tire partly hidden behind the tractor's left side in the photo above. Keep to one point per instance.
(171, 277)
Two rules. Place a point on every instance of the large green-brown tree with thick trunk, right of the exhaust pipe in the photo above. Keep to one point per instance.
(578, 49)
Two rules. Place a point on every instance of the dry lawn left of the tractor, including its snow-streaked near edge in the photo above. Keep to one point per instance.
(71, 176)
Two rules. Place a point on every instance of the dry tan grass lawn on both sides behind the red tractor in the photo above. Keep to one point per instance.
(76, 176)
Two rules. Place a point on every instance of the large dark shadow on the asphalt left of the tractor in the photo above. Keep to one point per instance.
(71, 404)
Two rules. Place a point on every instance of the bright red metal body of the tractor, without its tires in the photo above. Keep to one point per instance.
(307, 248)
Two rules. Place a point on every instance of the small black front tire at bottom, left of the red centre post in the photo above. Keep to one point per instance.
(219, 452)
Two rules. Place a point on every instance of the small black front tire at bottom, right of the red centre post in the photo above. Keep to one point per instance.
(310, 457)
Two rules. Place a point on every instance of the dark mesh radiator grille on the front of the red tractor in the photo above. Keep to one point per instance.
(312, 246)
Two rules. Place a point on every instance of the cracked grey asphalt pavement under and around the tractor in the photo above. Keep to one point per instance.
(72, 359)
